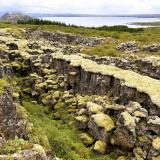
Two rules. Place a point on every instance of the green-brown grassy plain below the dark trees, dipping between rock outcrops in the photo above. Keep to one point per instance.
(108, 48)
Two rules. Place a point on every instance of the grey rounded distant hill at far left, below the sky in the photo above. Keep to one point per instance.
(14, 17)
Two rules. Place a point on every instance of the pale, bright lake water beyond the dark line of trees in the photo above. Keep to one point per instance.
(100, 21)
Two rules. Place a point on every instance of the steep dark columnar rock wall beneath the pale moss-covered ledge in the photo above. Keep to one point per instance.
(90, 83)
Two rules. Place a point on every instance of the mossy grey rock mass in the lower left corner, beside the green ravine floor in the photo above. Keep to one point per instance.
(15, 142)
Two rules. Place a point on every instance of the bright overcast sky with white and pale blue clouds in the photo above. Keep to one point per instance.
(82, 6)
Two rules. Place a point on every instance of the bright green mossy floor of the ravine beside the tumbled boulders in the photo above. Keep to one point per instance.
(63, 136)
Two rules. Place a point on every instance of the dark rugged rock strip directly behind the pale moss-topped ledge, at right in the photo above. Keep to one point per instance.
(145, 66)
